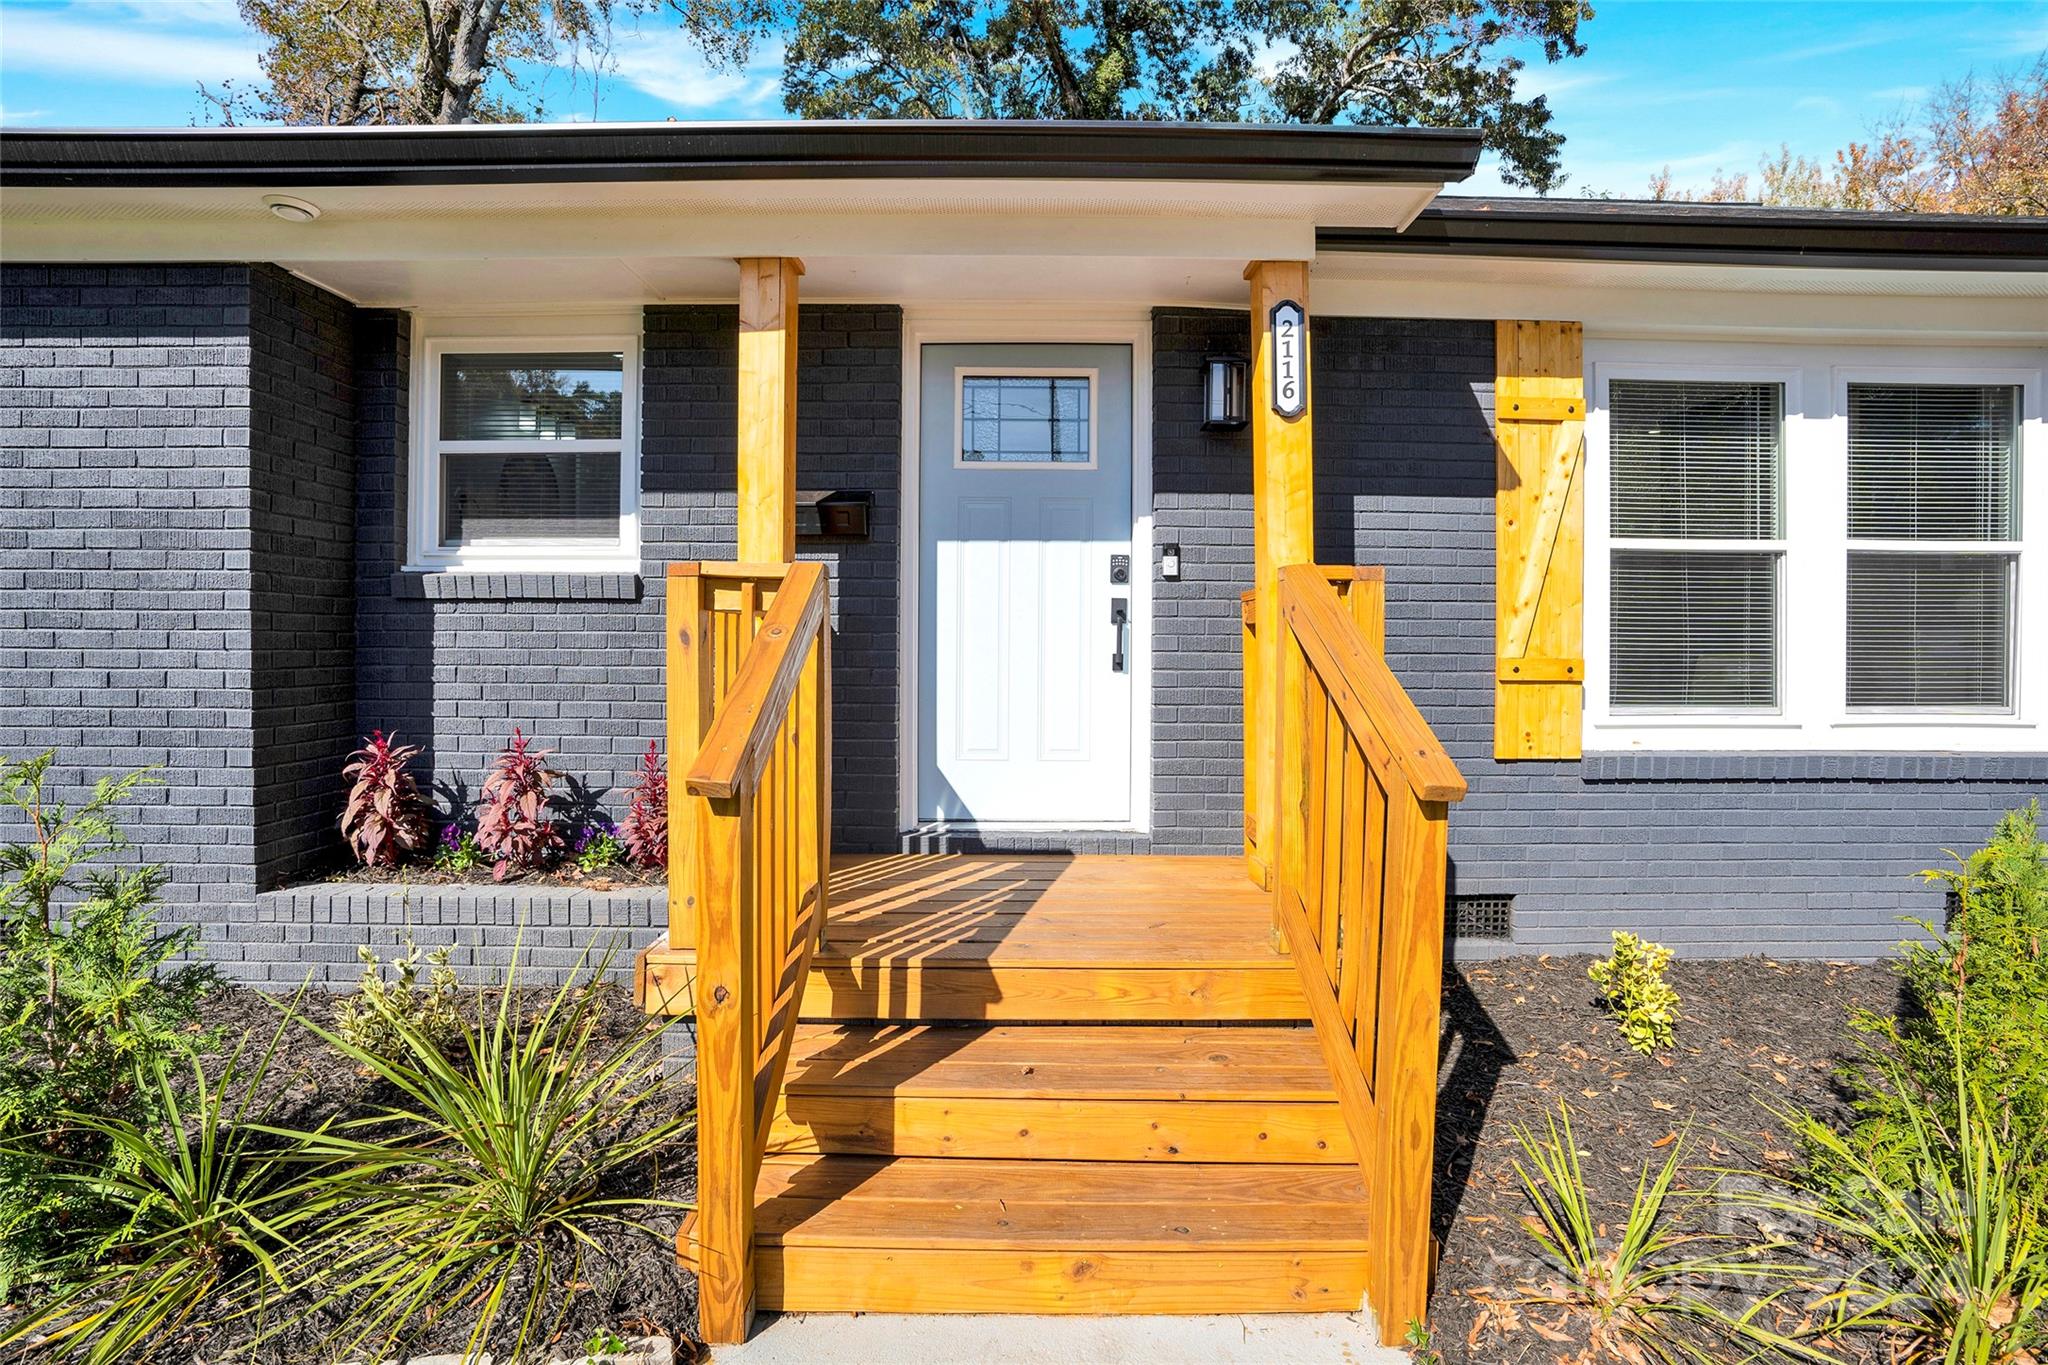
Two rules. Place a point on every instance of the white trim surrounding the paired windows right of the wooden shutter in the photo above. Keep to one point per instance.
(1814, 590)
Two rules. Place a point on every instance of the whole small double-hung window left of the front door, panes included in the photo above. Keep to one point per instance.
(527, 455)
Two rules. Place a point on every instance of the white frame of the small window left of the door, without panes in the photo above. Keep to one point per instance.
(425, 492)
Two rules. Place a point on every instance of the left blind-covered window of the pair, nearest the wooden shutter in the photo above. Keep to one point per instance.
(1695, 625)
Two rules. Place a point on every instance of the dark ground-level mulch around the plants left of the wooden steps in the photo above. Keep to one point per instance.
(630, 1284)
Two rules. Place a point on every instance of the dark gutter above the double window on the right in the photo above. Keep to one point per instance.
(1707, 234)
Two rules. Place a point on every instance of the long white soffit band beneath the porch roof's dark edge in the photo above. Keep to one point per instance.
(714, 220)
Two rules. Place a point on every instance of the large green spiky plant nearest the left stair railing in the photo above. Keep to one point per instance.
(501, 1159)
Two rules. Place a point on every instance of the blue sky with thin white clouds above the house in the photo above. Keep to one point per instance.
(1693, 85)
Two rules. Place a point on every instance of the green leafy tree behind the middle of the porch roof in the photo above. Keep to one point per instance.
(1398, 62)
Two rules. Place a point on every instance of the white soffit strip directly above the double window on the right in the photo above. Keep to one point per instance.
(1676, 298)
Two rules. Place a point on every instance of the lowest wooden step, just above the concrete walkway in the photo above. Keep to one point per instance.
(919, 1235)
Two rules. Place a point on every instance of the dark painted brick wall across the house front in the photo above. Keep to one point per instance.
(202, 521)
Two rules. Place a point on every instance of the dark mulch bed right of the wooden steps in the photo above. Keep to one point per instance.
(1525, 1034)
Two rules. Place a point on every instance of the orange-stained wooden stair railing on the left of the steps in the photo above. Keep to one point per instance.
(751, 852)
